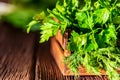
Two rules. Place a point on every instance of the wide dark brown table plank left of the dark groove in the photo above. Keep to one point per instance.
(16, 54)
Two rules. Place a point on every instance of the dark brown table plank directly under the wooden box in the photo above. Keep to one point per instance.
(46, 68)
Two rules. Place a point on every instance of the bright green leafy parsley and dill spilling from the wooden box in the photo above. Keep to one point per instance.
(95, 29)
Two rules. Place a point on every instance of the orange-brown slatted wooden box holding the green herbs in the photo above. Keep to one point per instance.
(59, 52)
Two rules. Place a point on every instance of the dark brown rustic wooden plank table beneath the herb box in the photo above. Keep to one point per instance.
(23, 58)
